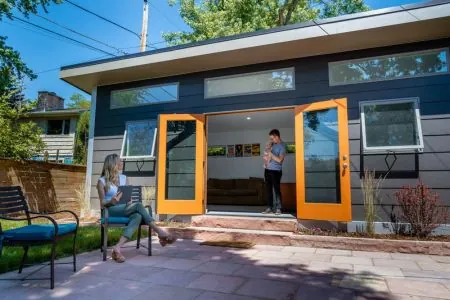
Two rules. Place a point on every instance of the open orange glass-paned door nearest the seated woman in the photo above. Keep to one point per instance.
(181, 157)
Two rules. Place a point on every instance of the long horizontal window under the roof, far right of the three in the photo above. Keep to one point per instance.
(389, 67)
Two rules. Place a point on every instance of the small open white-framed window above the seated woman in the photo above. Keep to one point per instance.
(139, 140)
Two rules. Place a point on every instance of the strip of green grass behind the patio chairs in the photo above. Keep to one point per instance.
(88, 239)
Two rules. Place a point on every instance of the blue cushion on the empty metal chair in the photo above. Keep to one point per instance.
(38, 232)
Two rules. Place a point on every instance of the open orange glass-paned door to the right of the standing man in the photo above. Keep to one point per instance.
(322, 161)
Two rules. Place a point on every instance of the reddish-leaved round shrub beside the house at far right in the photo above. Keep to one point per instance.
(421, 208)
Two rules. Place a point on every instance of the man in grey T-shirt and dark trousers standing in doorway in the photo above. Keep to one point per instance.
(273, 172)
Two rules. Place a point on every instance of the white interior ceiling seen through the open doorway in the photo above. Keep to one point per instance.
(258, 120)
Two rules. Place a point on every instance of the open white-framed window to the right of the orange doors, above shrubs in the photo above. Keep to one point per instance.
(391, 125)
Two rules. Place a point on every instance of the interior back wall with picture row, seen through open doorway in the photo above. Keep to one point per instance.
(245, 167)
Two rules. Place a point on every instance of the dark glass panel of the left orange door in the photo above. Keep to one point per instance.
(180, 160)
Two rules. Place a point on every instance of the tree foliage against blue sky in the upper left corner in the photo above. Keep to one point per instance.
(11, 65)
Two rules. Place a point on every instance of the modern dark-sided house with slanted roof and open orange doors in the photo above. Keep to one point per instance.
(362, 91)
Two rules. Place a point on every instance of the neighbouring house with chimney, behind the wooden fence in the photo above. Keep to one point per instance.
(59, 126)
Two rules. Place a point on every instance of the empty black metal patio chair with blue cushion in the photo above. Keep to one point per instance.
(14, 207)
